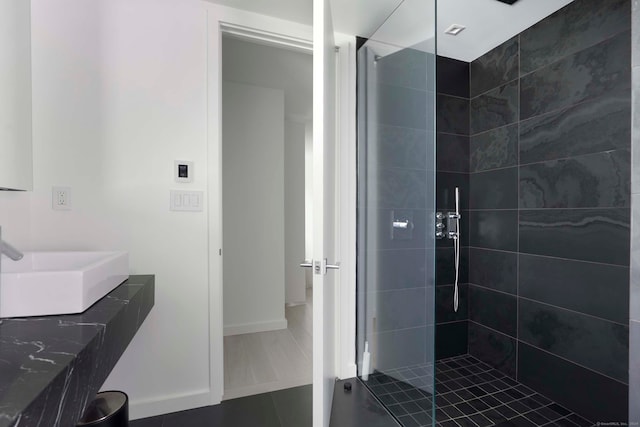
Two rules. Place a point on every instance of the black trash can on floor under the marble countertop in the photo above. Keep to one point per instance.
(108, 409)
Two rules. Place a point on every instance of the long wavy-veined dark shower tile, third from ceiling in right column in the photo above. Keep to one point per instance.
(603, 124)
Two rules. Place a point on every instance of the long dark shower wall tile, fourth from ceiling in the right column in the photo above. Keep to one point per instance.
(591, 181)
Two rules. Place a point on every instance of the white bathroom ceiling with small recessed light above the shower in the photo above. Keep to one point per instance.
(488, 22)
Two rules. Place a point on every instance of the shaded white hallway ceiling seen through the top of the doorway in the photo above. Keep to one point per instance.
(276, 68)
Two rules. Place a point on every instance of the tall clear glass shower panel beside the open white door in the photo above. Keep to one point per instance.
(396, 209)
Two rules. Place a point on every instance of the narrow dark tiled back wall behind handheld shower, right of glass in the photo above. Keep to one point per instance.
(452, 165)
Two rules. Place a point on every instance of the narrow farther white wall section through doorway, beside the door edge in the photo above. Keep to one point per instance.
(294, 211)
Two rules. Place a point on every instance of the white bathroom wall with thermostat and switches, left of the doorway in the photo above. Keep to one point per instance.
(119, 93)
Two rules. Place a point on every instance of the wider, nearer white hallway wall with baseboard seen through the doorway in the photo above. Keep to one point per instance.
(253, 208)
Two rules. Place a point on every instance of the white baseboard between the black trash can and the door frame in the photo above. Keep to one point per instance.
(168, 404)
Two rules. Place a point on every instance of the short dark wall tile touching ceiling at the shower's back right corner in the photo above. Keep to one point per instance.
(495, 68)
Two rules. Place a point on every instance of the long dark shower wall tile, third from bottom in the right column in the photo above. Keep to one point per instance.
(596, 289)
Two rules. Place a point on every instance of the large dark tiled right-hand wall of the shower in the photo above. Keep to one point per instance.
(550, 208)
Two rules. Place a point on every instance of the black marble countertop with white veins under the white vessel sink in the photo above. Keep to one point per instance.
(52, 366)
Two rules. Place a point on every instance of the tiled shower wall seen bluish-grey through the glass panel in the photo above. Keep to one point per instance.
(400, 287)
